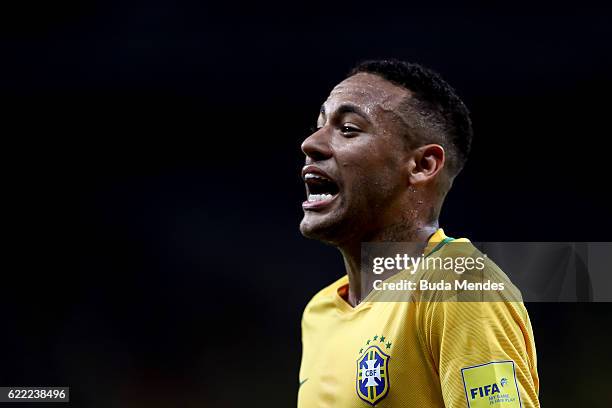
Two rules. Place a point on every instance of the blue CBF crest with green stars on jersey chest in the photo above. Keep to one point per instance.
(372, 379)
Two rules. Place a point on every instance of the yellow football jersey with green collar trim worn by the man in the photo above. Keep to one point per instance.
(417, 353)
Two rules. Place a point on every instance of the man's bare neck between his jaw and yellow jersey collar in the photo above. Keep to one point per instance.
(360, 284)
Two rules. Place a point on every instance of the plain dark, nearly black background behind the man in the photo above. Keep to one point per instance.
(150, 182)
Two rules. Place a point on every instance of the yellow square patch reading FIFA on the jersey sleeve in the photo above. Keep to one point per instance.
(491, 385)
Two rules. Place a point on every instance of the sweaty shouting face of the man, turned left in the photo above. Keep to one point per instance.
(353, 170)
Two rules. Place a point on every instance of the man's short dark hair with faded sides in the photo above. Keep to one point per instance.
(433, 99)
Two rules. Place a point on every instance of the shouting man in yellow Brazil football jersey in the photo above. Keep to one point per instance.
(390, 140)
